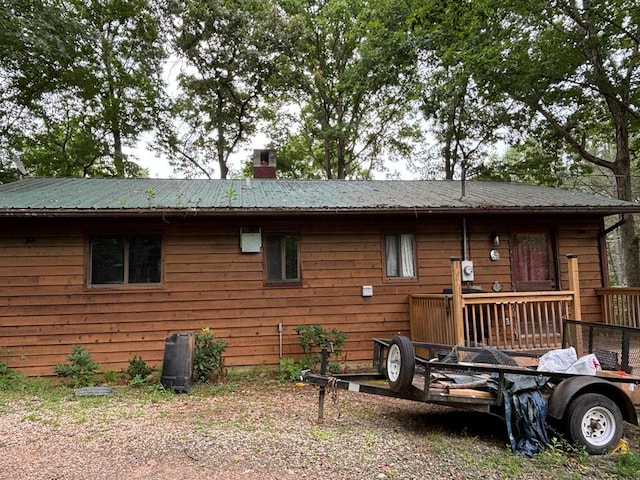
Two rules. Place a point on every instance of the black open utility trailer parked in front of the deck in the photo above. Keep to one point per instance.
(590, 409)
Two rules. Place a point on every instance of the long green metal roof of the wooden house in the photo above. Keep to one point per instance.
(81, 196)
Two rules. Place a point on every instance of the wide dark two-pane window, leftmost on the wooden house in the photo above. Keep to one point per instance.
(121, 260)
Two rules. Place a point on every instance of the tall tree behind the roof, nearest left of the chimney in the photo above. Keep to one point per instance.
(231, 52)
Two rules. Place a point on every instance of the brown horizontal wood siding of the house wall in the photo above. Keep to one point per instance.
(46, 307)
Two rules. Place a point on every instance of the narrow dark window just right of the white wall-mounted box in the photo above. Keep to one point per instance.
(281, 253)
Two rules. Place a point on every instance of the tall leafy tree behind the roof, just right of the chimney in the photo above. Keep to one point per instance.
(354, 84)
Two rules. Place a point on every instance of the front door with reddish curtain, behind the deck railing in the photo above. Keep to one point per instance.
(533, 266)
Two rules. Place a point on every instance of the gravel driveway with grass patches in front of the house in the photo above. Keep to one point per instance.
(265, 430)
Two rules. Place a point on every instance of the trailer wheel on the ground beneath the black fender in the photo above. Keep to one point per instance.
(594, 421)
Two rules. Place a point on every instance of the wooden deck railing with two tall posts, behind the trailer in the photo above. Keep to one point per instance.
(509, 320)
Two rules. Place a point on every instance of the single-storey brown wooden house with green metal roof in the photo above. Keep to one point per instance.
(117, 265)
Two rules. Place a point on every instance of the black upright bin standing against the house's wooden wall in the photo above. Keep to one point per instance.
(177, 366)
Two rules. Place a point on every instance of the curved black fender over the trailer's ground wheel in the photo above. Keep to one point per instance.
(572, 387)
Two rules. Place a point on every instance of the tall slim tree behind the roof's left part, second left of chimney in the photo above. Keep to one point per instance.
(119, 71)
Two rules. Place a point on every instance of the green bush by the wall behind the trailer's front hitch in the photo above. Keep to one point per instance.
(312, 338)
